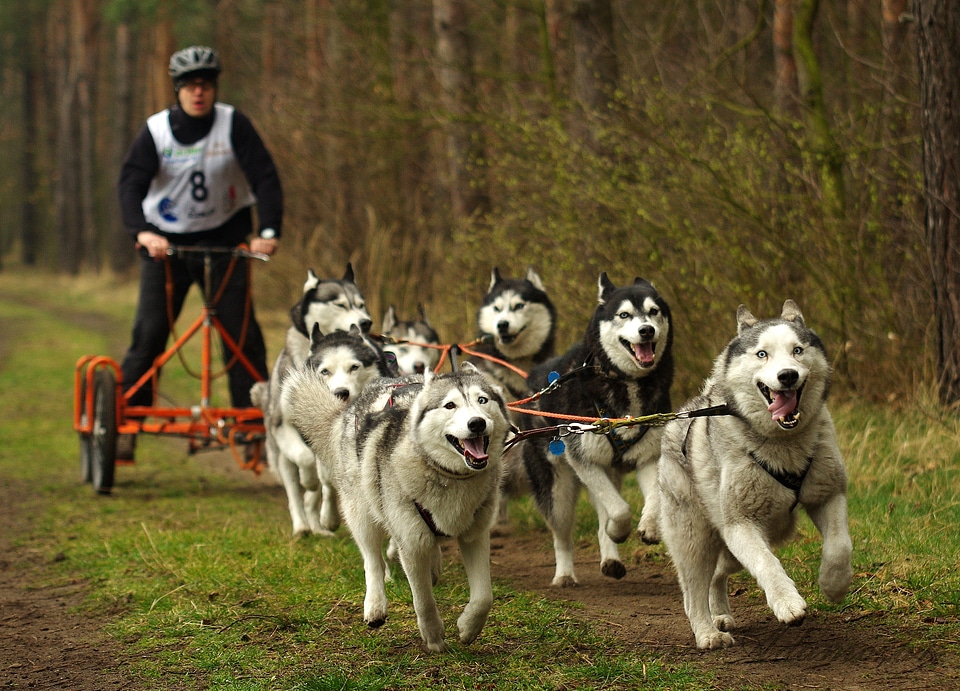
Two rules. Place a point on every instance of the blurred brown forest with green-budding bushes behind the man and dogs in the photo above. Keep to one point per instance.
(730, 151)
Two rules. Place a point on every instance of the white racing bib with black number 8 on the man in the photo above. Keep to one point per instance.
(199, 186)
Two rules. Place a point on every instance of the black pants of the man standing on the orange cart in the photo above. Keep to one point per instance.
(151, 326)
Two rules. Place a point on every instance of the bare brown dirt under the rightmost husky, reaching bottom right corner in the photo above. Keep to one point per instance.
(645, 610)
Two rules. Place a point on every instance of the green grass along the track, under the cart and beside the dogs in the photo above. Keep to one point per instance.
(191, 567)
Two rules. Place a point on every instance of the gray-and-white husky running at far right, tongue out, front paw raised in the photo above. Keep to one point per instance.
(729, 485)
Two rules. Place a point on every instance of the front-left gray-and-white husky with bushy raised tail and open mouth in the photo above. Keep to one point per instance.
(417, 459)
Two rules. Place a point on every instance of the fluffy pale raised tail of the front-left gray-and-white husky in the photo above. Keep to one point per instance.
(312, 409)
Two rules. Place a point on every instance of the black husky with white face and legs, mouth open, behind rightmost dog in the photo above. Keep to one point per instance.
(622, 367)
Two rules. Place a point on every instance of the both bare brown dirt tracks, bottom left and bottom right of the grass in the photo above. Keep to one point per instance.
(44, 646)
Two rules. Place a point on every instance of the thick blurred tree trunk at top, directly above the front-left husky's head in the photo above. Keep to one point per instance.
(464, 138)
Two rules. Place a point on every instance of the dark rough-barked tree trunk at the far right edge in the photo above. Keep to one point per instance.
(938, 51)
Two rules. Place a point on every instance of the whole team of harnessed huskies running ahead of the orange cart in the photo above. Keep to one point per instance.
(362, 427)
